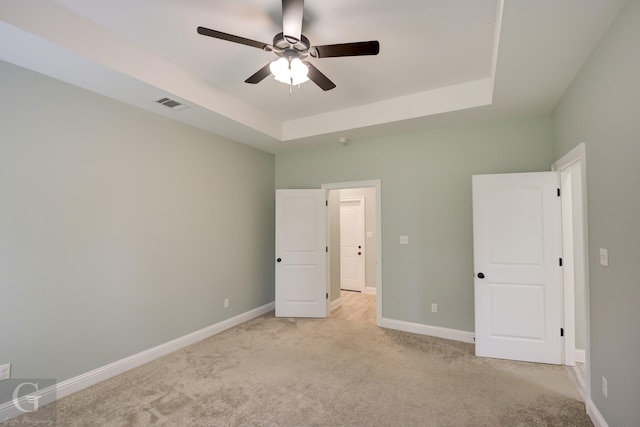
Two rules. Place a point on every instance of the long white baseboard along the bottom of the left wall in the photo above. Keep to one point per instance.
(10, 410)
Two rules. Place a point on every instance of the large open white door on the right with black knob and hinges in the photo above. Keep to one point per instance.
(518, 278)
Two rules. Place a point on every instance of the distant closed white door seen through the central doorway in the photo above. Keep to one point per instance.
(352, 244)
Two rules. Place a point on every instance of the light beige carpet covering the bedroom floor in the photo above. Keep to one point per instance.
(302, 372)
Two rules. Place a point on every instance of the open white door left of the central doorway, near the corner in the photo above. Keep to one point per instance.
(301, 257)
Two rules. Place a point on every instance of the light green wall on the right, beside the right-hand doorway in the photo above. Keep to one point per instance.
(602, 109)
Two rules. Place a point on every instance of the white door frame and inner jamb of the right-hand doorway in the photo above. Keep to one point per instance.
(573, 157)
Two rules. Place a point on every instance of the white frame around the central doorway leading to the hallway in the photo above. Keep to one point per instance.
(366, 184)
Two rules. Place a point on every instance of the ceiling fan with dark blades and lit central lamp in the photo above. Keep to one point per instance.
(293, 48)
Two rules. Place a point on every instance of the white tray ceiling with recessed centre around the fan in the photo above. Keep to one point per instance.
(440, 61)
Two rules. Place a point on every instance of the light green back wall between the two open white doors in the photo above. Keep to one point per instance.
(426, 194)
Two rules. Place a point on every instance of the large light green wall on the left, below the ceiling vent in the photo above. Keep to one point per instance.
(119, 230)
